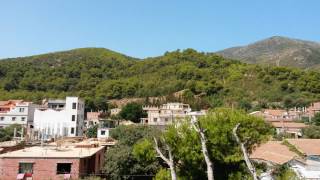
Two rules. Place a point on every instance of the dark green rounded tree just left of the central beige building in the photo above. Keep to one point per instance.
(133, 112)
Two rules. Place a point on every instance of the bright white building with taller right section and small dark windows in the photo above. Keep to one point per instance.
(60, 118)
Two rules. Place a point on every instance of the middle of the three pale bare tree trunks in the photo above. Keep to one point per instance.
(204, 149)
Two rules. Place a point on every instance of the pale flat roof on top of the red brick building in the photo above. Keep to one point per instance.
(53, 152)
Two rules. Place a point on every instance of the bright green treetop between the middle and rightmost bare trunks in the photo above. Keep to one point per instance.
(219, 124)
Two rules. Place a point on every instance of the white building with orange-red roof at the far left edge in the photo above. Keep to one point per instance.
(16, 112)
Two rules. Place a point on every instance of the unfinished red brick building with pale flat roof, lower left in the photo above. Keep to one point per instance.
(42, 163)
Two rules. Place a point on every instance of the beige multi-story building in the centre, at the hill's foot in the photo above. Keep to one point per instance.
(165, 114)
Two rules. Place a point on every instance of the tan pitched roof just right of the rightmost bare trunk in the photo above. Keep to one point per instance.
(273, 151)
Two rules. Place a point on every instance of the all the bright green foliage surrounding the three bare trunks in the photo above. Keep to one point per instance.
(224, 151)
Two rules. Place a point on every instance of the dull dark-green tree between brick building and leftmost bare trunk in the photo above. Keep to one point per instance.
(124, 158)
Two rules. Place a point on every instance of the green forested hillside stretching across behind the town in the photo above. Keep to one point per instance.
(100, 74)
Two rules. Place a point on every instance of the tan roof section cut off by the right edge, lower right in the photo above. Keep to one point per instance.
(307, 146)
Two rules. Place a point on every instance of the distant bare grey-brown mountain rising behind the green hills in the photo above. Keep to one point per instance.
(278, 51)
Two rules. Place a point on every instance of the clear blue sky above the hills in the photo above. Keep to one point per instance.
(146, 28)
